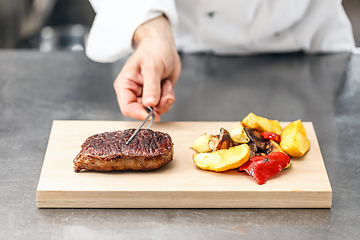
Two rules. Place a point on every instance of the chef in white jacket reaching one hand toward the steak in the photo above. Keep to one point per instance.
(153, 31)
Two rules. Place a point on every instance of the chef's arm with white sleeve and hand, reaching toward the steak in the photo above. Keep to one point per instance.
(140, 28)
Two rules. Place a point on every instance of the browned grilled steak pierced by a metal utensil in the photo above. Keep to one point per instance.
(108, 151)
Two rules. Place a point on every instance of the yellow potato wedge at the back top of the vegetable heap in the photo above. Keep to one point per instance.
(262, 124)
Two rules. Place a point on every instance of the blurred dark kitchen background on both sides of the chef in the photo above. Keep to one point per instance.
(52, 25)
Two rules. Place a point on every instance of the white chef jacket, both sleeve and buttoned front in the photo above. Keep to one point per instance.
(224, 27)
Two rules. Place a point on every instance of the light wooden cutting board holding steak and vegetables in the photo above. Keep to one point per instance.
(180, 184)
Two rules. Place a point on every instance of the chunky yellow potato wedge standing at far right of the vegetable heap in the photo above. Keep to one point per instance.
(294, 140)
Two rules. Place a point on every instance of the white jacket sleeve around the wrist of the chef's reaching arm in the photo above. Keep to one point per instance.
(111, 34)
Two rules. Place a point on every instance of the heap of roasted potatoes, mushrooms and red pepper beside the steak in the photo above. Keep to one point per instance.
(256, 145)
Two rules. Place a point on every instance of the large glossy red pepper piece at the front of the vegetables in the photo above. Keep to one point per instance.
(263, 167)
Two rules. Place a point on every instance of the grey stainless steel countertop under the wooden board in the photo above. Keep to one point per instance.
(37, 88)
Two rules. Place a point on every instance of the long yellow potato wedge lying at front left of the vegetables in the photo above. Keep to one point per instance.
(222, 160)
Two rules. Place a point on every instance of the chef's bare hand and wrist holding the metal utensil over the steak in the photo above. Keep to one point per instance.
(140, 82)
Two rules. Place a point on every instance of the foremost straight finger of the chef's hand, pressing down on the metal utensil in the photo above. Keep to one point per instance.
(152, 86)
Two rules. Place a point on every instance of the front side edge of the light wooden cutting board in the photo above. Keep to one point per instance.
(84, 199)
